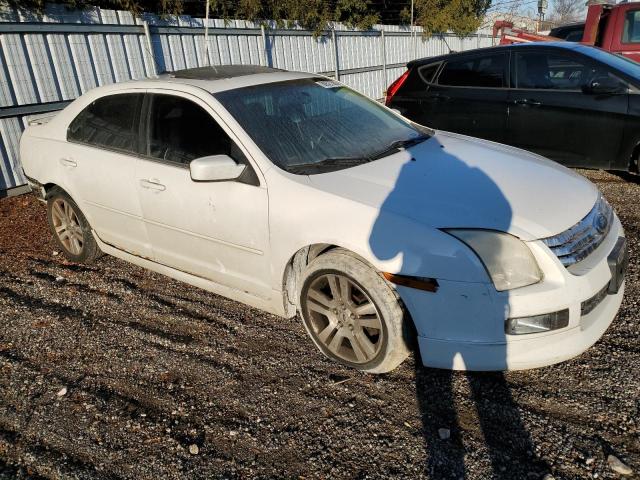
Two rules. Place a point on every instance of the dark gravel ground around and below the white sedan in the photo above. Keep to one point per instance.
(111, 371)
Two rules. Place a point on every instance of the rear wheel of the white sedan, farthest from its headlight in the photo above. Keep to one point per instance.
(70, 229)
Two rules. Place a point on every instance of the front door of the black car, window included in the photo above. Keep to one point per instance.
(552, 116)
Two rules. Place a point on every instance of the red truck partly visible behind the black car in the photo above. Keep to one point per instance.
(615, 28)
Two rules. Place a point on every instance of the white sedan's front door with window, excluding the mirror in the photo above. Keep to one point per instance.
(215, 230)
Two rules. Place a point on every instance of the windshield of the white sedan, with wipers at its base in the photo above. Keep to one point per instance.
(317, 125)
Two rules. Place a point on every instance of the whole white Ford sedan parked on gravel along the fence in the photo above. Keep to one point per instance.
(292, 193)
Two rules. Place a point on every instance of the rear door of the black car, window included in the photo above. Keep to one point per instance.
(469, 96)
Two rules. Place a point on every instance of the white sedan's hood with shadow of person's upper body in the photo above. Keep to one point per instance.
(454, 181)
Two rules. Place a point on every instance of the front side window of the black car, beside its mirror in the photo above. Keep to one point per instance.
(552, 71)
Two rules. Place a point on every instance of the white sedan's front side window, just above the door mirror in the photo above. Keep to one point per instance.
(180, 130)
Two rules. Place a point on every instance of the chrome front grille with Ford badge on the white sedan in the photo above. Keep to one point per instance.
(576, 243)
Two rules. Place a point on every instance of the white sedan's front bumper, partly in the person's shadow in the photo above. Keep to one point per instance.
(461, 327)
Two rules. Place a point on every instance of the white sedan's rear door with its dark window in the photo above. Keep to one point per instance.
(100, 159)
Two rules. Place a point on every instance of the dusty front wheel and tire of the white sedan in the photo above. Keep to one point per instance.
(352, 314)
